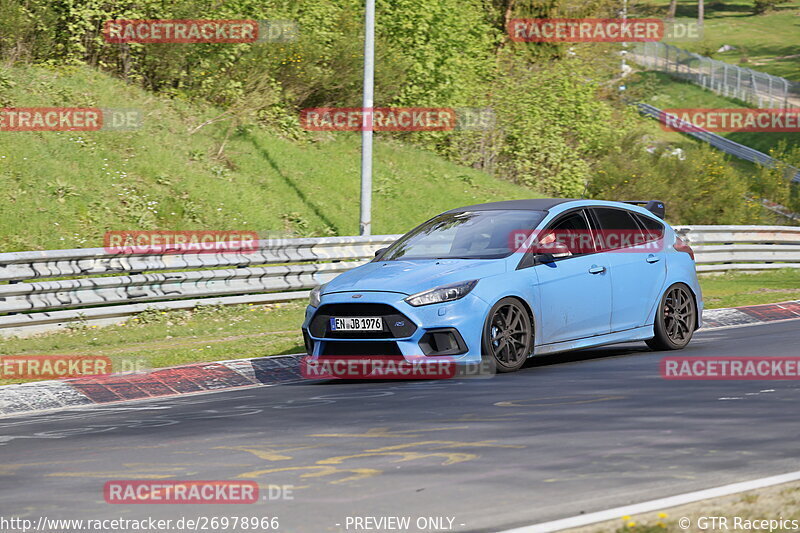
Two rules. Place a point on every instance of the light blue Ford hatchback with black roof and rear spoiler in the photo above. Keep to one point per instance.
(505, 281)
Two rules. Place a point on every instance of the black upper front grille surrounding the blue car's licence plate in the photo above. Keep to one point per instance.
(395, 324)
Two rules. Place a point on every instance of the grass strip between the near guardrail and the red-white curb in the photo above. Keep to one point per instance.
(158, 339)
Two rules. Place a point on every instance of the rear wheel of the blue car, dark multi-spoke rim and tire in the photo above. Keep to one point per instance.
(676, 319)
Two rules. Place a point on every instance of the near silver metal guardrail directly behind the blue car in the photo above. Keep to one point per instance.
(46, 290)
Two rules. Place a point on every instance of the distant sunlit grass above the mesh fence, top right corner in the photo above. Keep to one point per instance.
(767, 43)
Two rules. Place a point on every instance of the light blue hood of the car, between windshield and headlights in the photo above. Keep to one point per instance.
(413, 276)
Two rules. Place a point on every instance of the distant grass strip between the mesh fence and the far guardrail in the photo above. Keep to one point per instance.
(664, 92)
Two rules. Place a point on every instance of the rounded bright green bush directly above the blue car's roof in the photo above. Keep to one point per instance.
(550, 127)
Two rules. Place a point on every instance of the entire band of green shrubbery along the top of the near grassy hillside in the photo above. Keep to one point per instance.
(559, 130)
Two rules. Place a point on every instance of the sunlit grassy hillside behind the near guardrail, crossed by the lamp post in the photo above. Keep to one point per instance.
(65, 189)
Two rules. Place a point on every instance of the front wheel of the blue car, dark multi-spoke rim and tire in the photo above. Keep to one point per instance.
(507, 335)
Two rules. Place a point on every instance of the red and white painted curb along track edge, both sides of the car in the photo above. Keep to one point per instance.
(204, 377)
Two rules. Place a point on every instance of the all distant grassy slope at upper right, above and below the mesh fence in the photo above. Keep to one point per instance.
(767, 42)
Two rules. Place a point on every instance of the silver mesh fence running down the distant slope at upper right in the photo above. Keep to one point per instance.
(756, 88)
